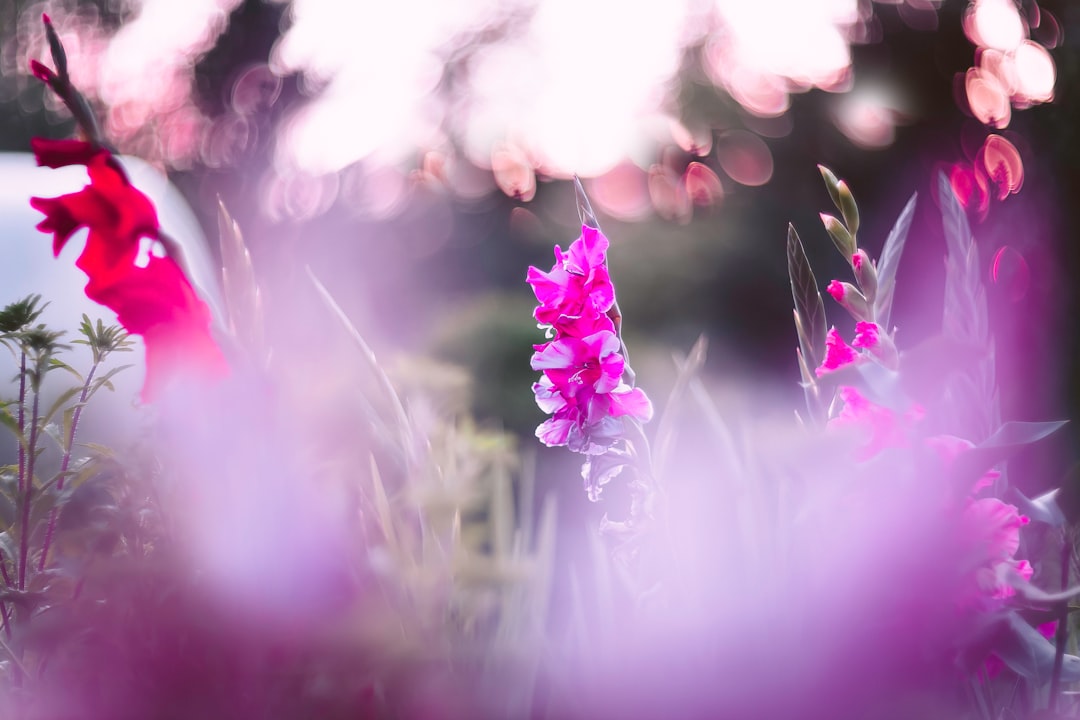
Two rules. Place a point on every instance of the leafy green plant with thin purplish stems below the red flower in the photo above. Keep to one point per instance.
(32, 504)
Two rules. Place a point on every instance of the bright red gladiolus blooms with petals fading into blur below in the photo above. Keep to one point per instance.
(129, 273)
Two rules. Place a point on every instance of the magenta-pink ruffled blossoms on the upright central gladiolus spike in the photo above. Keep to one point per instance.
(583, 387)
